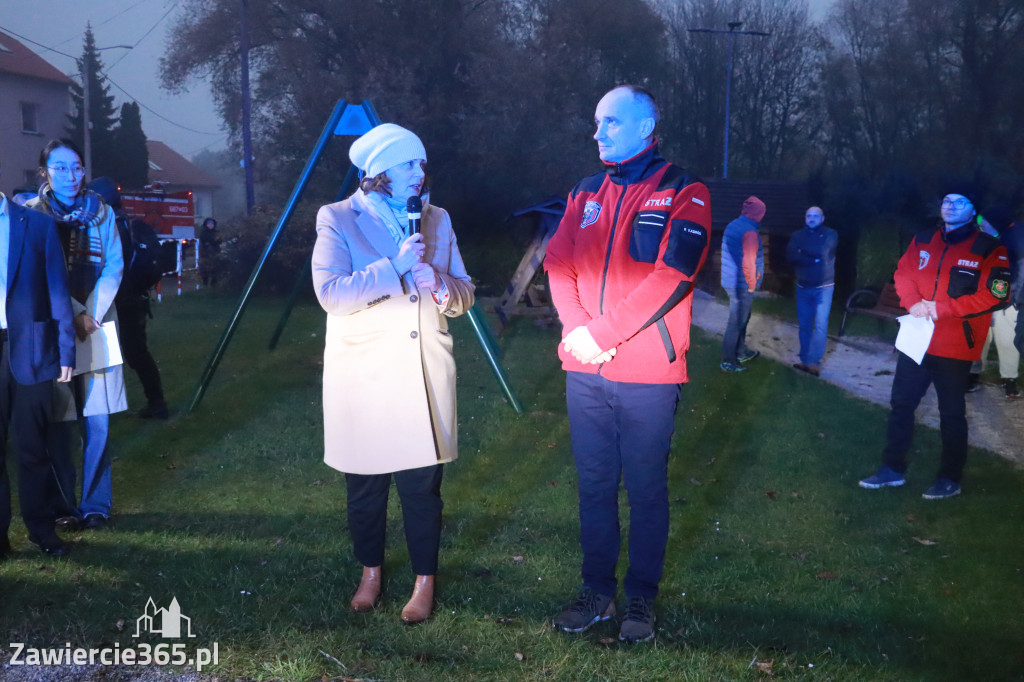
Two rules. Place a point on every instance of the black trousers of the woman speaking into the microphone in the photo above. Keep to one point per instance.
(420, 494)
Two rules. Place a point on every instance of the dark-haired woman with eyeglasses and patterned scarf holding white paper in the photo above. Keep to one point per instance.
(93, 253)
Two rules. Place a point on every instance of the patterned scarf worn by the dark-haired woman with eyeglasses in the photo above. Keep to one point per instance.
(78, 226)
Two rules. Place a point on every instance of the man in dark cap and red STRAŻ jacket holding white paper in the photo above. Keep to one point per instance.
(958, 277)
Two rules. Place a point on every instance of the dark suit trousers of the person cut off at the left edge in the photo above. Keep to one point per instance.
(25, 410)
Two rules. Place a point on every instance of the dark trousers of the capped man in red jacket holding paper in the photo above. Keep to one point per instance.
(951, 378)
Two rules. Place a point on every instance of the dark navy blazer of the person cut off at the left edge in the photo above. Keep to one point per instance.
(39, 314)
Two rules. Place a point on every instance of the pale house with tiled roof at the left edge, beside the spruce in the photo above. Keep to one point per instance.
(34, 110)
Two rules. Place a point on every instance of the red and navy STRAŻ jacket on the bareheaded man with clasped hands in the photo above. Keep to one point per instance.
(623, 264)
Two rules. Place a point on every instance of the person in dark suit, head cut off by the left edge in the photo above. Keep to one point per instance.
(38, 347)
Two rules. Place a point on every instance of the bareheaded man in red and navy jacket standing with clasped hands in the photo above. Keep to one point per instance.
(622, 267)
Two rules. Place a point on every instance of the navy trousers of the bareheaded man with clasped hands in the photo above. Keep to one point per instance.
(622, 432)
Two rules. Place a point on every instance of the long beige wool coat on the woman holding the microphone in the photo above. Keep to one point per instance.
(390, 401)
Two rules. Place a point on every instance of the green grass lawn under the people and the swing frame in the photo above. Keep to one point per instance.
(780, 568)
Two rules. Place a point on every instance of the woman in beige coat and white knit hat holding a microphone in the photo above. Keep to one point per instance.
(390, 405)
